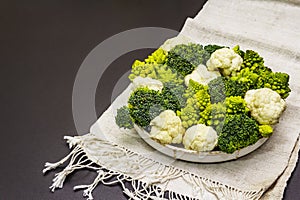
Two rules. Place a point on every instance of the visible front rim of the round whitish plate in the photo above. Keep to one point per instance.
(179, 152)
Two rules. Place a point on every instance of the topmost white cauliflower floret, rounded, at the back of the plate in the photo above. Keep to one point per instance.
(226, 60)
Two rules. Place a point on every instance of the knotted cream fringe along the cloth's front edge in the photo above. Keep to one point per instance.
(117, 165)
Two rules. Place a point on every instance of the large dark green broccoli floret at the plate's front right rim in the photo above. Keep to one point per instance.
(238, 131)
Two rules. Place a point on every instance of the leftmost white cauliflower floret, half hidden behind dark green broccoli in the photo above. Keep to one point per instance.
(152, 84)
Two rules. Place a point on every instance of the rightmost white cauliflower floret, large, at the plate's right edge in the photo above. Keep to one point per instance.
(265, 105)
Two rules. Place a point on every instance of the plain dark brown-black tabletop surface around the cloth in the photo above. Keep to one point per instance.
(42, 46)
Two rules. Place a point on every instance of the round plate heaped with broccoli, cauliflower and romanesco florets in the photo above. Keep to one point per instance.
(204, 103)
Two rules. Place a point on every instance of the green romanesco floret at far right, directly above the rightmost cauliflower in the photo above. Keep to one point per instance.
(277, 81)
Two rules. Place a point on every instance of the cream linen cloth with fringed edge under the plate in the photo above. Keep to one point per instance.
(268, 27)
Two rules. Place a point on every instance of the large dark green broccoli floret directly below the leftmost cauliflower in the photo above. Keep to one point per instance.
(144, 104)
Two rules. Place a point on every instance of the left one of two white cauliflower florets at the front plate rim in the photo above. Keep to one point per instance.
(166, 128)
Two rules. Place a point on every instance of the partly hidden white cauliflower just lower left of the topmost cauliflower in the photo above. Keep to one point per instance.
(201, 75)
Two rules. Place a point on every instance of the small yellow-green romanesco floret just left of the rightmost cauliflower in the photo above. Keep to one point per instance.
(236, 105)
